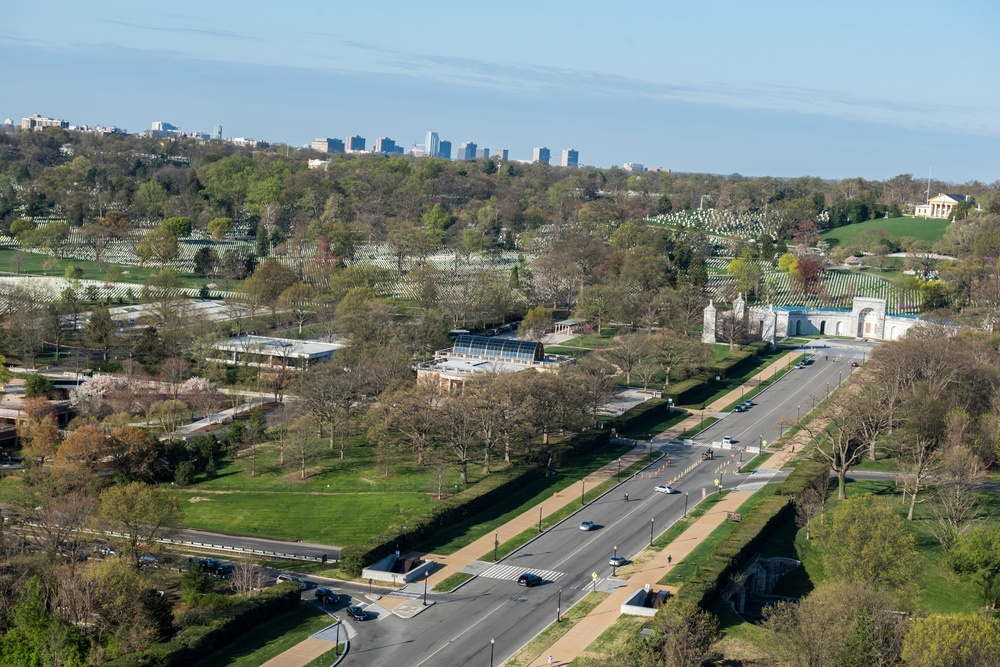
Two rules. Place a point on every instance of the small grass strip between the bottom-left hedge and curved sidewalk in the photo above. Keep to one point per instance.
(270, 639)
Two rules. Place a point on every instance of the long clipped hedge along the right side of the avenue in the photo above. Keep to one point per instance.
(748, 537)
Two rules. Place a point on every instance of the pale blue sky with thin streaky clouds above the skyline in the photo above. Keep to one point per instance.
(781, 88)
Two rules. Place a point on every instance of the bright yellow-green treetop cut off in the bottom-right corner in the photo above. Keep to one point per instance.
(960, 640)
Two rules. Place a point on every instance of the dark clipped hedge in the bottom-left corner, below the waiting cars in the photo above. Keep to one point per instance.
(193, 643)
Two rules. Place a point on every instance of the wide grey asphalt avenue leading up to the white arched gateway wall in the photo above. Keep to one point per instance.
(458, 629)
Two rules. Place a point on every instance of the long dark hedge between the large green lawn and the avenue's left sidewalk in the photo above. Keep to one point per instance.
(472, 501)
